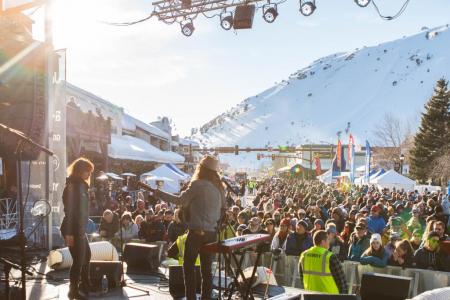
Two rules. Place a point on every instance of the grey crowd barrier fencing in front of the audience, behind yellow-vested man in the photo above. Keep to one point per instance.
(285, 270)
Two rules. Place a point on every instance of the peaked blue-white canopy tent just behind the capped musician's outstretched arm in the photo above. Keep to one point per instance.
(165, 171)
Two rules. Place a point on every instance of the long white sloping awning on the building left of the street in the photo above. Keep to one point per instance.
(132, 148)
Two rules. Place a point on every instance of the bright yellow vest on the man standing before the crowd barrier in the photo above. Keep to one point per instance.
(317, 276)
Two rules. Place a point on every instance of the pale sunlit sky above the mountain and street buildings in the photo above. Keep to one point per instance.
(152, 70)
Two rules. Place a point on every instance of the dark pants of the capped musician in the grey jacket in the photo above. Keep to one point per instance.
(194, 242)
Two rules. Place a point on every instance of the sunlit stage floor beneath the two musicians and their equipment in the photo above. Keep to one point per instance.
(56, 286)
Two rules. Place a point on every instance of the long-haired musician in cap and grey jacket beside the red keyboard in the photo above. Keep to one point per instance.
(202, 202)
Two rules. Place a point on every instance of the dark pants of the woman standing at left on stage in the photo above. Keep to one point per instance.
(81, 255)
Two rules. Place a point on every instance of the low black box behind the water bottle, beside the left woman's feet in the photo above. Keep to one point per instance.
(111, 269)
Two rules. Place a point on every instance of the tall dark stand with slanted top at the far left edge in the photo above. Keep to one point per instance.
(23, 140)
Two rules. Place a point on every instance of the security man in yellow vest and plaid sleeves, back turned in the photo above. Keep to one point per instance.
(320, 270)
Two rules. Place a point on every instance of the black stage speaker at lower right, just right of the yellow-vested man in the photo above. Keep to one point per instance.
(386, 287)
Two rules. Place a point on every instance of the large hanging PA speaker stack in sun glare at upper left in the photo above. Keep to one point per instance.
(22, 97)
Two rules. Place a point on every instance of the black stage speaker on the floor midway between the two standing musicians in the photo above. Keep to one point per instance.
(141, 256)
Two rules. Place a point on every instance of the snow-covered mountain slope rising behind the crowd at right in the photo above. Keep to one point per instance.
(353, 89)
